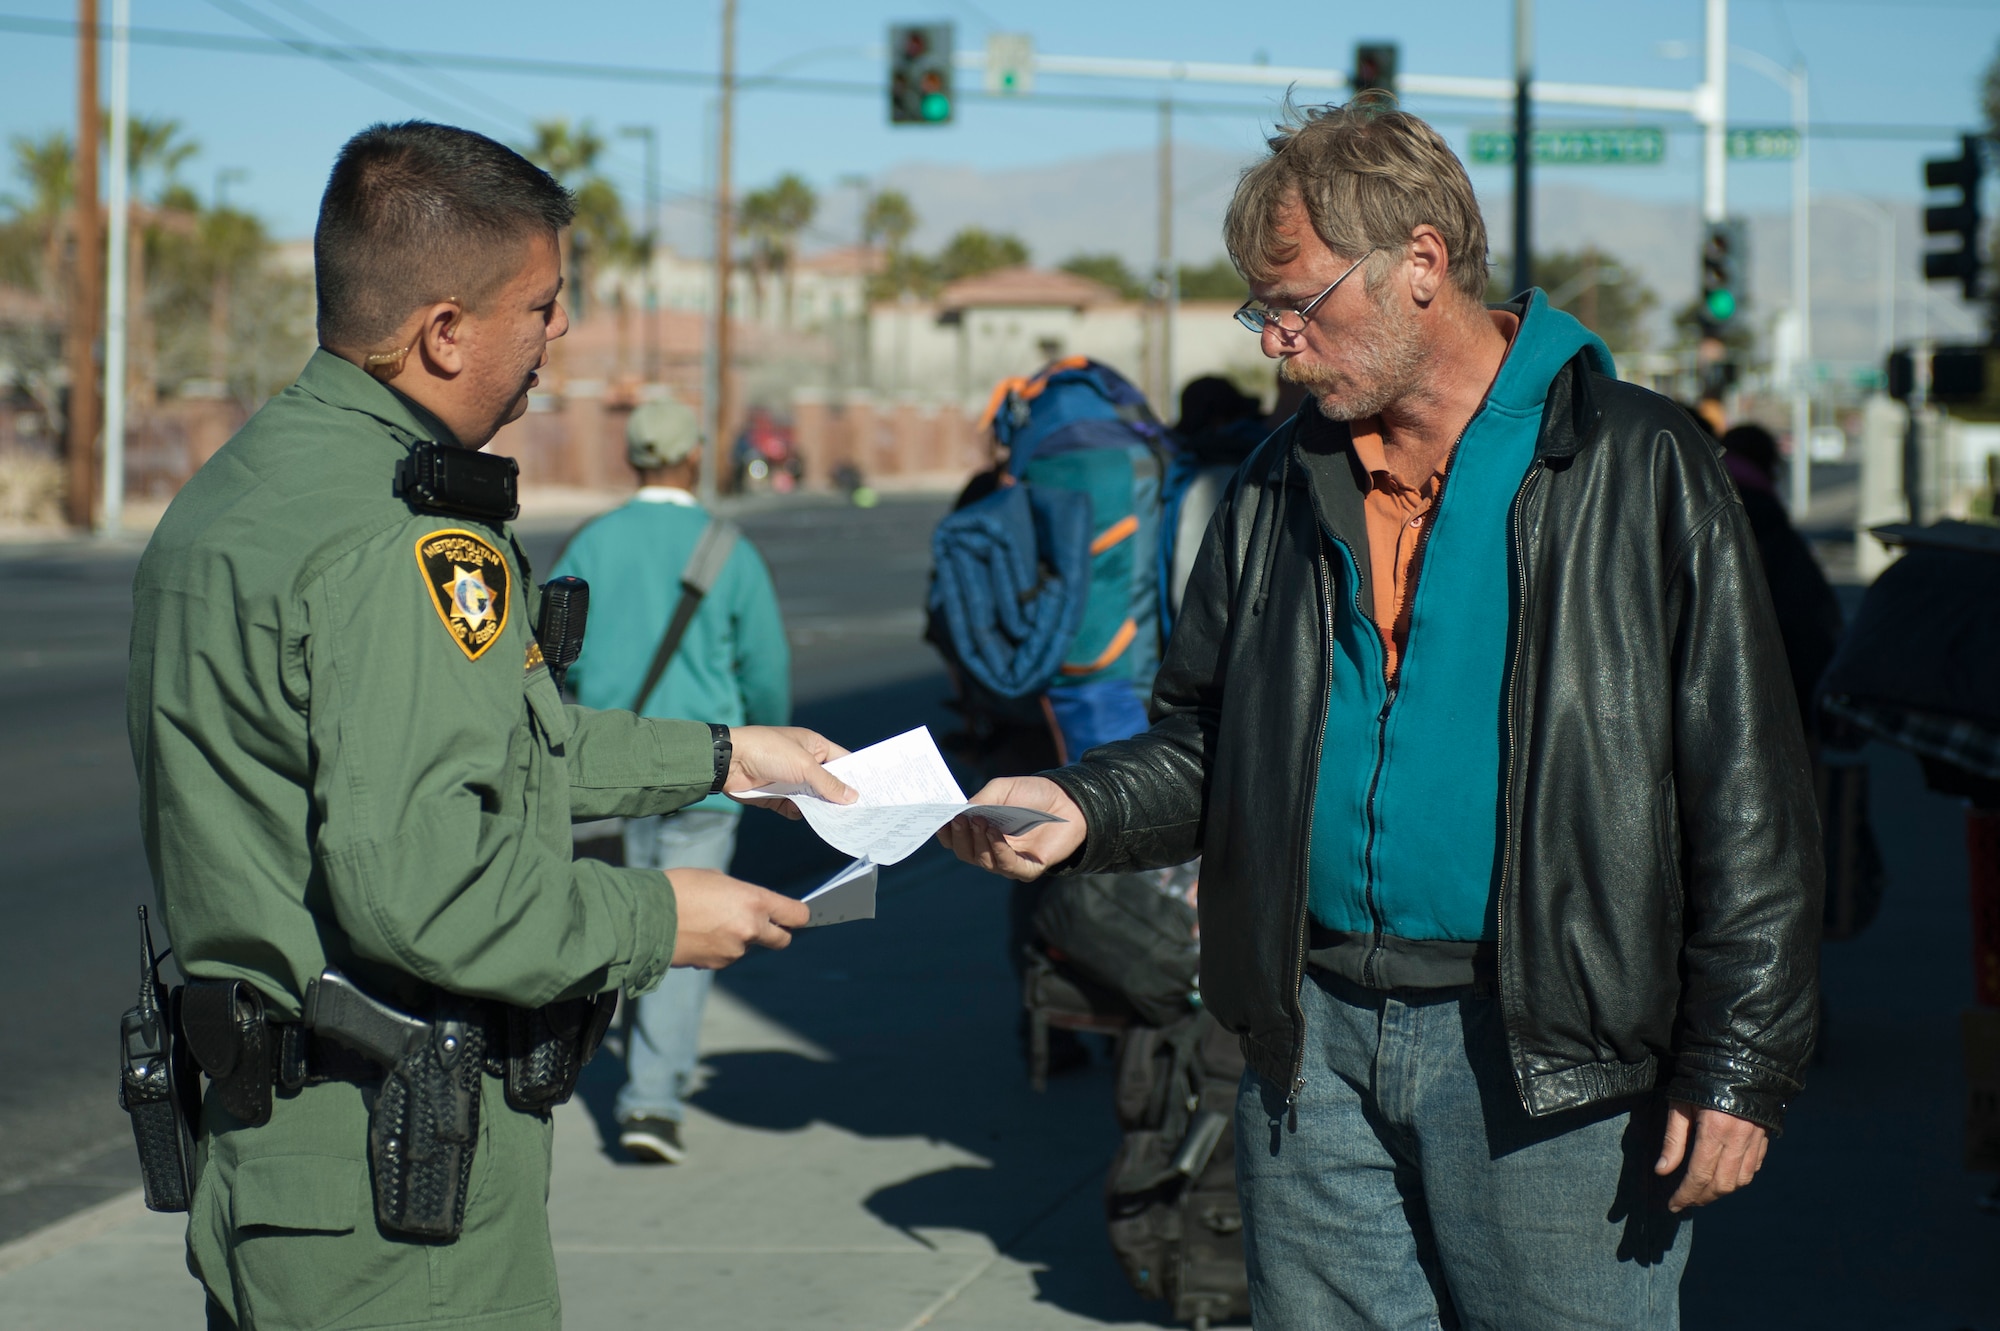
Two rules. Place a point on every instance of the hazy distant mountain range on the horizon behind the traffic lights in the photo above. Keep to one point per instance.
(1107, 203)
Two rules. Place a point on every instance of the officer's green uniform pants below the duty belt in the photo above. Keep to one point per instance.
(283, 1228)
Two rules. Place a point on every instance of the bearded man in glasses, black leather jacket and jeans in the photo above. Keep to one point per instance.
(1481, 722)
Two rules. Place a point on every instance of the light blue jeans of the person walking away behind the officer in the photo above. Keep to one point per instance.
(667, 1024)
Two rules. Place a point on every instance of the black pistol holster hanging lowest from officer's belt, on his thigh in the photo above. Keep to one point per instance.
(425, 1124)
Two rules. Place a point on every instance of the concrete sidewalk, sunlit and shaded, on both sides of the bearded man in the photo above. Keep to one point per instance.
(867, 1152)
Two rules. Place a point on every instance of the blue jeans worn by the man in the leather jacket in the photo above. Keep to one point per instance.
(1413, 1190)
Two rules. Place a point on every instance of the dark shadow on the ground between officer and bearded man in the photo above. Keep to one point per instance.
(919, 1010)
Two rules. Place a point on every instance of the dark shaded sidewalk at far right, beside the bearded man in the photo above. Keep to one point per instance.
(1865, 1216)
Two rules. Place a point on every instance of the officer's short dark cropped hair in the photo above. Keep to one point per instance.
(419, 213)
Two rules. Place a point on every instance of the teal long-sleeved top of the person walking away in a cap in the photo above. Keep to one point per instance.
(733, 666)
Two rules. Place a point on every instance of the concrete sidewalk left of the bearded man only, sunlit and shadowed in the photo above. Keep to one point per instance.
(867, 1154)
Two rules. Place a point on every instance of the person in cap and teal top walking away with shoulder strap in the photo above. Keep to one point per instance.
(685, 625)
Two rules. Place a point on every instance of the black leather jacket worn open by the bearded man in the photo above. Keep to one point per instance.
(1659, 898)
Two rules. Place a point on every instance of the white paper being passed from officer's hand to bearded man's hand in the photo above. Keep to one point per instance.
(907, 794)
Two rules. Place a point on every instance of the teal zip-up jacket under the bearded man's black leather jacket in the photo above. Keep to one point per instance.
(1407, 808)
